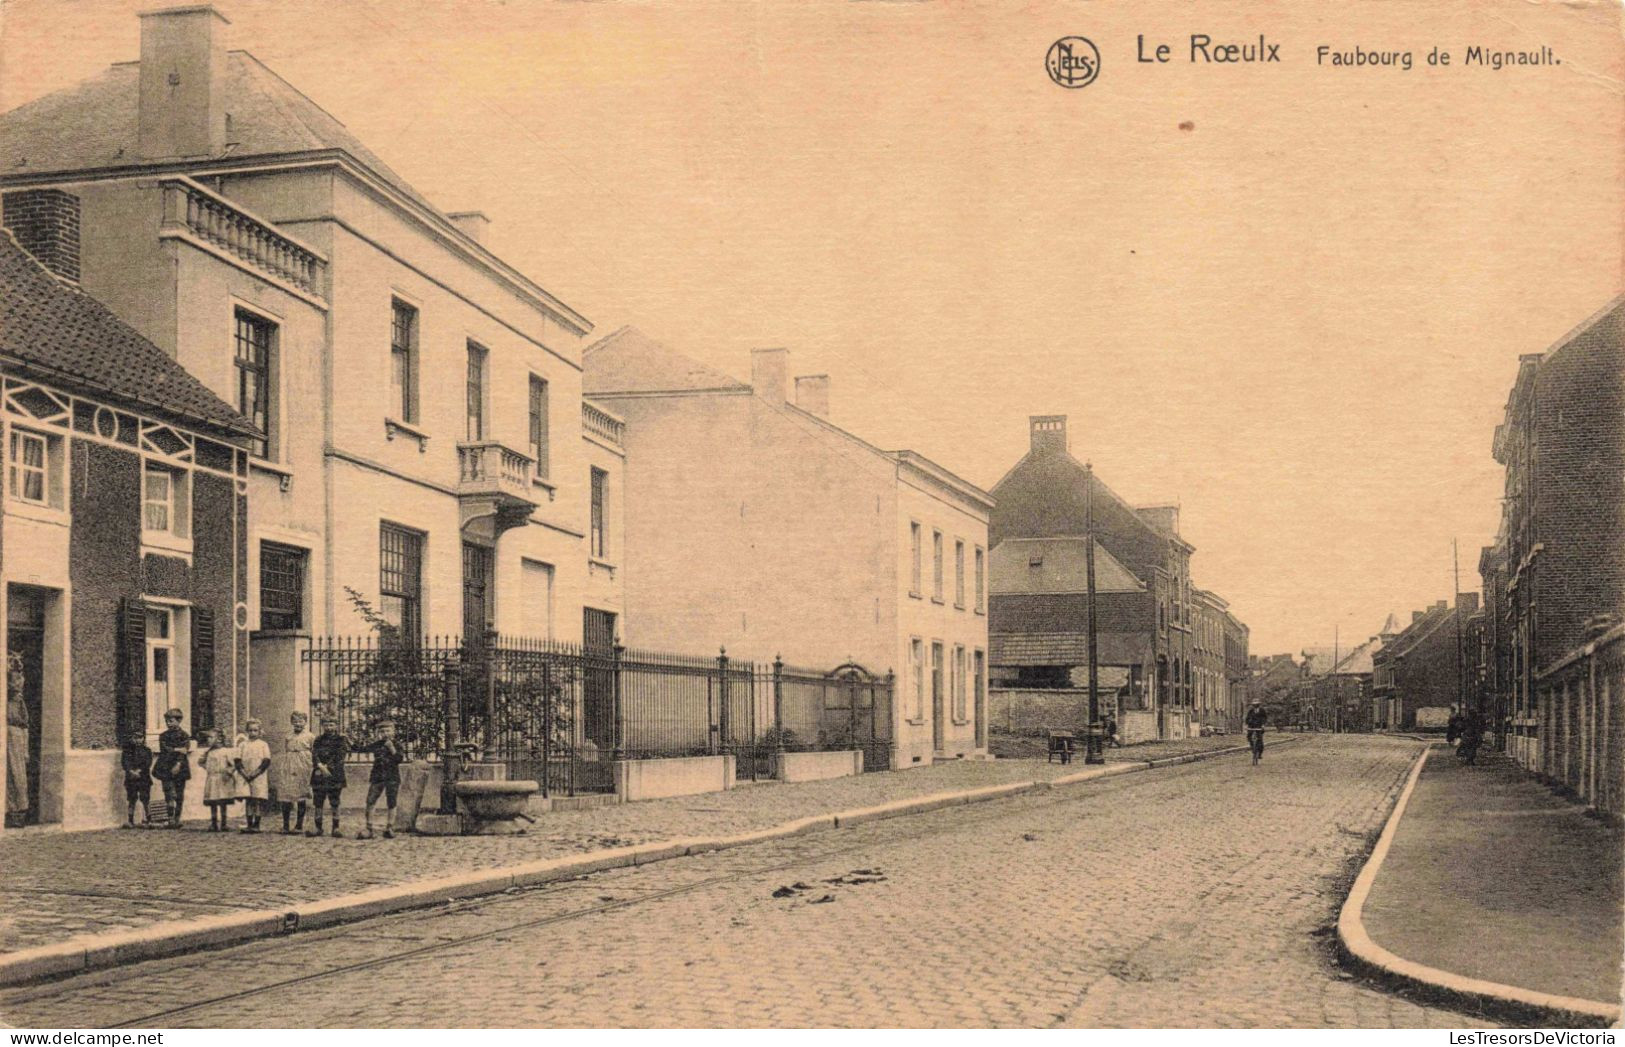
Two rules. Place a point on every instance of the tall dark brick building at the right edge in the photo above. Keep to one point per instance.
(1558, 570)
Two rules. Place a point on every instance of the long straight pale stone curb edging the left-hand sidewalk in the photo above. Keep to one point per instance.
(160, 941)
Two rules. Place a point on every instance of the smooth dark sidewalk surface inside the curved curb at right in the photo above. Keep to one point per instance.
(1493, 877)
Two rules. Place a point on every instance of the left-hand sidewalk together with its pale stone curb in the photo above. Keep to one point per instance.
(80, 901)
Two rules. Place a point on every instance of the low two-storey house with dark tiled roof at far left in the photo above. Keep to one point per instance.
(123, 547)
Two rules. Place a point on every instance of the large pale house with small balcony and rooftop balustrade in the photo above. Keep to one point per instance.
(425, 441)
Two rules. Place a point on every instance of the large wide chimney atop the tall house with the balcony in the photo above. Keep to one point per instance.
(183, 102)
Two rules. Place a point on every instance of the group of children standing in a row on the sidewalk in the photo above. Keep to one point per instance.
(305, 771)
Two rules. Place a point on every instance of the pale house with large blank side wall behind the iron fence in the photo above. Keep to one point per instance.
(763, 526)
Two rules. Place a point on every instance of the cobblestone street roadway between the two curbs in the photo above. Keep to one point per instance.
(1195, 895)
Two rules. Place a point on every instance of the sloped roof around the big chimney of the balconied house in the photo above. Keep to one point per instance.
(93, 124)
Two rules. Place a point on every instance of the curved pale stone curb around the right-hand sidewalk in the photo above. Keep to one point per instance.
(1358, 947)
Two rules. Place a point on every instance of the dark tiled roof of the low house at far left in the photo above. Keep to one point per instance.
(63, 336)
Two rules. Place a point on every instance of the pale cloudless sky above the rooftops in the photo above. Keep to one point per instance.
(1288, 297)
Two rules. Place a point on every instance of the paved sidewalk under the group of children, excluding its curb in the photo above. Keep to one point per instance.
(66, 885)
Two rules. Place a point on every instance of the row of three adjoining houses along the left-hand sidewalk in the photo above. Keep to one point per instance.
(305, 391)
